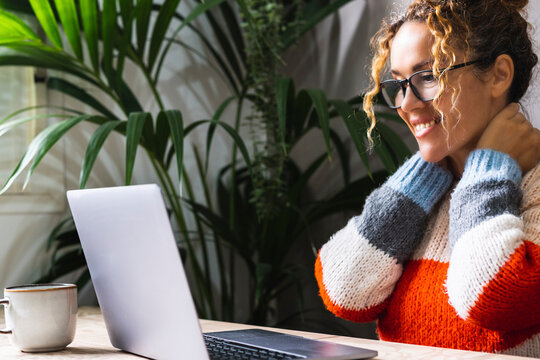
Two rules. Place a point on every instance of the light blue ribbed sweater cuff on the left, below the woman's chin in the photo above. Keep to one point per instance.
(421, 181)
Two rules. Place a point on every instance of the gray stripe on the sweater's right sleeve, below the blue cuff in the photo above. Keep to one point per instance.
(477, 203)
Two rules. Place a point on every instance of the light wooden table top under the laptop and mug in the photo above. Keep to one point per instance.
(92, 342)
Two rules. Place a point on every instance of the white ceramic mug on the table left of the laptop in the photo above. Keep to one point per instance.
(40, 317)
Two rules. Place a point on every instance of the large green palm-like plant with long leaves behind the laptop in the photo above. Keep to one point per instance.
(263, 207)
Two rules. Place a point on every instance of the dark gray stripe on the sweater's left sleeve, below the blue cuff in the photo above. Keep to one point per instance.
(392, 222)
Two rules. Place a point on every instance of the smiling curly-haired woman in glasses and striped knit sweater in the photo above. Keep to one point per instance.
(447, 252)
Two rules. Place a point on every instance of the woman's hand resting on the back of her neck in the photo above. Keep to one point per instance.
(511, 133)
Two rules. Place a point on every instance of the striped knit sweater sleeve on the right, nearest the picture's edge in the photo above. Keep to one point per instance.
(493, 278)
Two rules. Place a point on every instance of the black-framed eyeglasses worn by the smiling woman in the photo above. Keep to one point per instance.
(423, 83)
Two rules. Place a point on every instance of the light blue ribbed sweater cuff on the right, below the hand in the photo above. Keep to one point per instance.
(489, 165)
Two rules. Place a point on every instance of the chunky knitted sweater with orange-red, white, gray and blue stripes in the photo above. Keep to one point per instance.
(440, 267)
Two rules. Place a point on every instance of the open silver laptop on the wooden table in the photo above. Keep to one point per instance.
(142, 289)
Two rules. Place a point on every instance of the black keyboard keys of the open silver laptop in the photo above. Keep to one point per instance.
(220, 349)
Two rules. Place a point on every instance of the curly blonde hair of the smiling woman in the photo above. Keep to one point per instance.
(464, 25)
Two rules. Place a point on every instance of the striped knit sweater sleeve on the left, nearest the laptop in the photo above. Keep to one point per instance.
(359, 266)
